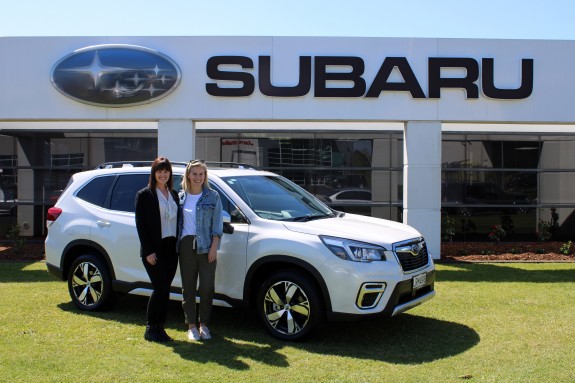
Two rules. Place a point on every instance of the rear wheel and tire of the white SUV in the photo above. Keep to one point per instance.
(90, 284)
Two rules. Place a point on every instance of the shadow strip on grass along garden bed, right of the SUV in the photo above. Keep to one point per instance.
(486, 272)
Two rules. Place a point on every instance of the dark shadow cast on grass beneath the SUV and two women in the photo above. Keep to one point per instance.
(238, 336)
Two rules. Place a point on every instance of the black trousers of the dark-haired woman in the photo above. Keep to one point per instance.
(161, 275)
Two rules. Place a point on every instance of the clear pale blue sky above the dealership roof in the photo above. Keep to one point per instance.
(493, 19)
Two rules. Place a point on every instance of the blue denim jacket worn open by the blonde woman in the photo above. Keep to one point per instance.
(209, 219)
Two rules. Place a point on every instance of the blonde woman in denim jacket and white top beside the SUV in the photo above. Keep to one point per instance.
(201, 228)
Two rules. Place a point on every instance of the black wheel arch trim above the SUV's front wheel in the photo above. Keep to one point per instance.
(286, 259)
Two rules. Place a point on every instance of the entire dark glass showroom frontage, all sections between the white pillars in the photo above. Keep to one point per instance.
(487, 179)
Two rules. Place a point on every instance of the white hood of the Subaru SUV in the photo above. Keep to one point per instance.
(357, 227)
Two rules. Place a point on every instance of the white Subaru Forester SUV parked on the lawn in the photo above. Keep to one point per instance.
(284, 253)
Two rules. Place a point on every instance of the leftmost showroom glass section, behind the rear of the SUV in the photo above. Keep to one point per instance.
(35, 167)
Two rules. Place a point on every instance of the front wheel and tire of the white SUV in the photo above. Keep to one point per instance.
(289, 306)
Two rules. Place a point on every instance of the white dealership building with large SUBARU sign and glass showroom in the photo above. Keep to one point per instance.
(451, 136)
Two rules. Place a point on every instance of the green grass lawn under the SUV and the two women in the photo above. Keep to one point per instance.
(488, 323)
